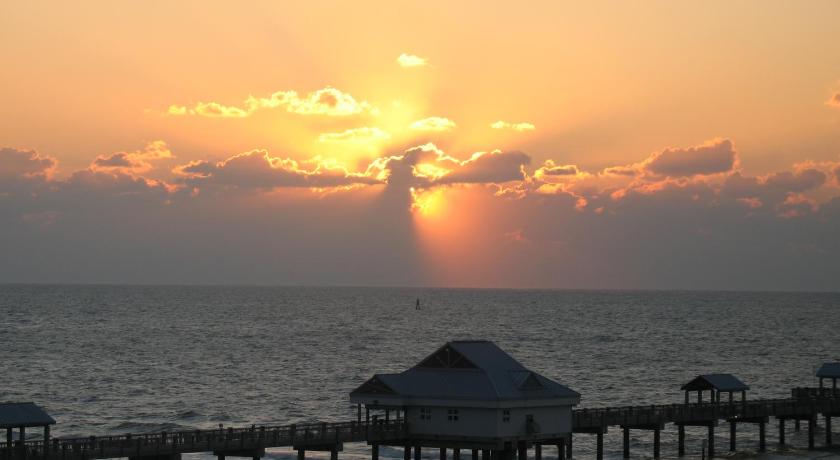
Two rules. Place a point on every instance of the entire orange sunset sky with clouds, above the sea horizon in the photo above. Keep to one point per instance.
(542, 144)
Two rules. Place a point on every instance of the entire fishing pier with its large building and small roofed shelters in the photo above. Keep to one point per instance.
(390, 420)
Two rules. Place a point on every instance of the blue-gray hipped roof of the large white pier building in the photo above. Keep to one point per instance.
(474, 370)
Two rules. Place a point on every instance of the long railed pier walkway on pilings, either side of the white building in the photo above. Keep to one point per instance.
(804, 405)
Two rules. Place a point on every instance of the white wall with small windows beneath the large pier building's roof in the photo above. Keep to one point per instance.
(489, 422)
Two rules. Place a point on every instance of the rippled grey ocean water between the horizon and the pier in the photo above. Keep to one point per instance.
(116, 359)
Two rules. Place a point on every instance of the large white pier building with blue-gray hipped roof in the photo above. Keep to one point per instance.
(471, 394)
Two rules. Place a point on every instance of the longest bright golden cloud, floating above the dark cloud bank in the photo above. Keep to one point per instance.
(327, 101)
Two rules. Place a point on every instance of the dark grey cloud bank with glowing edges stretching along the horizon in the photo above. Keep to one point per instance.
(685, 217)
